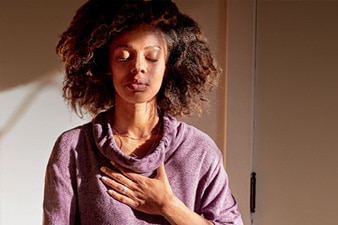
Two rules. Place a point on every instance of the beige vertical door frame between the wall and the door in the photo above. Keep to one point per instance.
(240, 72)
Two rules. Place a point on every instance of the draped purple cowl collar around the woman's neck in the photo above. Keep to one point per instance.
(104, 139)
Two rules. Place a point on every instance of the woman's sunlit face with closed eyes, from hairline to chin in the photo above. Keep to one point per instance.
(137, 63)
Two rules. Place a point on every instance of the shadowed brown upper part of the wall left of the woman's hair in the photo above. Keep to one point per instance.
(28, 34)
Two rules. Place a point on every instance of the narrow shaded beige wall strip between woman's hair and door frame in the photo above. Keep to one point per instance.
(214, 27)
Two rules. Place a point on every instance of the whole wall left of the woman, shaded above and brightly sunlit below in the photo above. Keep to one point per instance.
(32, 112)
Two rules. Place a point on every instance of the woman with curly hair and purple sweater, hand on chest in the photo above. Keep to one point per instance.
(135, 65)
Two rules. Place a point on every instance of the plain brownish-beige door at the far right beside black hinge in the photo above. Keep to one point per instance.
(295, 150)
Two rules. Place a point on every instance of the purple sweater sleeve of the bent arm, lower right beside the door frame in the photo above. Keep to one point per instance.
(219, 205)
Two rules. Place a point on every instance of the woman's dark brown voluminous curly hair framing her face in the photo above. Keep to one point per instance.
(84, 48)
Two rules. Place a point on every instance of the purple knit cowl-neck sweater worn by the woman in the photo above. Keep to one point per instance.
(74, 193)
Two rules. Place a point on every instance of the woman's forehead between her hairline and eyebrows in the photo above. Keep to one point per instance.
(140, 37)
